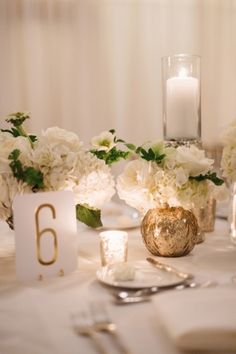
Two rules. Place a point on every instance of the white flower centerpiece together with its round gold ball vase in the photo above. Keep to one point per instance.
(165, 183)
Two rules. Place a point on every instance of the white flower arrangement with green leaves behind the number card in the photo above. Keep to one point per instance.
(56, 160)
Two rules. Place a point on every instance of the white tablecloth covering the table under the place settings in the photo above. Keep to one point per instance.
(35, 319)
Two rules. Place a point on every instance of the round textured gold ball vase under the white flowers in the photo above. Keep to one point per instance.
(169, 231)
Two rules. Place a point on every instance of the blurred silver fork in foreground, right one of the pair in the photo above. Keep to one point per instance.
(102, 322)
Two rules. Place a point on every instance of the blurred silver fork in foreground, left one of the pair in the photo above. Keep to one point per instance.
(83, 325)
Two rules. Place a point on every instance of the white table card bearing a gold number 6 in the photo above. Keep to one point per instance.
(45, 235)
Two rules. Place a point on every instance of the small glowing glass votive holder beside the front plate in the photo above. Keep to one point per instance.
(113, 246)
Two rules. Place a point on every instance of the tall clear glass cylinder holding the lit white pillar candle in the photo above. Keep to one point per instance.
(181, 98)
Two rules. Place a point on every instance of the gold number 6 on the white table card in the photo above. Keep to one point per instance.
(46, 230)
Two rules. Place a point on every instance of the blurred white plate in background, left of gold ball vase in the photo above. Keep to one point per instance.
(119, 216)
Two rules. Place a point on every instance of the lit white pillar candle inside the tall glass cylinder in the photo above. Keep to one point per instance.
(182, 105)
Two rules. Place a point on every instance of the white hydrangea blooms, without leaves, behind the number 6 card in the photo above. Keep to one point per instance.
(65, 165)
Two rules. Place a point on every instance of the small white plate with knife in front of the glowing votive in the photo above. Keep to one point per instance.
(145, 276)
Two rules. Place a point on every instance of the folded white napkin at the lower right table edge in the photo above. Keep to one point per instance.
(199, 319)
